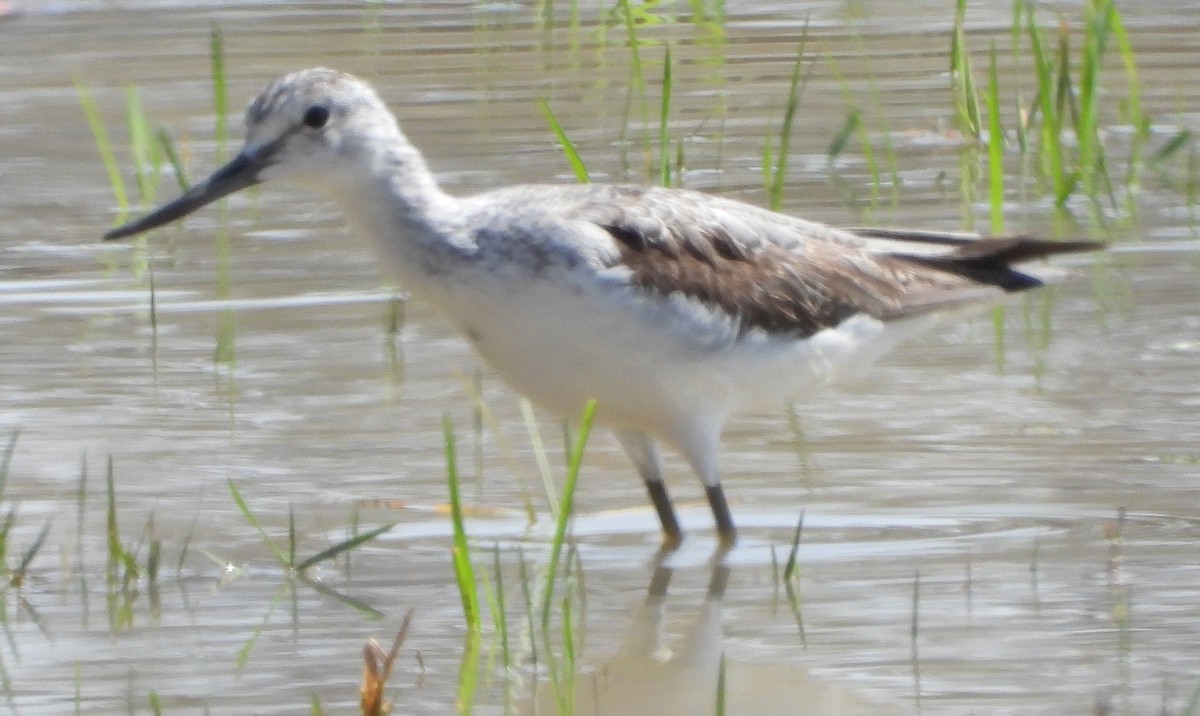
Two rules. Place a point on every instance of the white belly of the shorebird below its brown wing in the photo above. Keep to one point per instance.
(661, 368)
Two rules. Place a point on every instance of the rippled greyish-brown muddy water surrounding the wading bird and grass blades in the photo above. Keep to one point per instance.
(975, 503)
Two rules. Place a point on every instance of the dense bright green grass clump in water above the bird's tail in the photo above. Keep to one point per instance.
(1064, 128)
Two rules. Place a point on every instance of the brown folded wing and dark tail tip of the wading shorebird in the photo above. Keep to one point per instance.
(799, 279)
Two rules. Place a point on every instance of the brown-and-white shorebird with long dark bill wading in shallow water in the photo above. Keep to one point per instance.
(673, 309)
